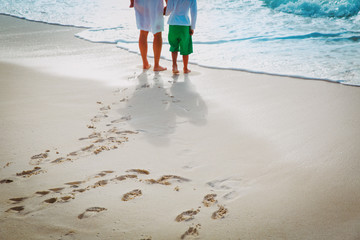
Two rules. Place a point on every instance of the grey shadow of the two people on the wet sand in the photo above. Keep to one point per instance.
(164, 104)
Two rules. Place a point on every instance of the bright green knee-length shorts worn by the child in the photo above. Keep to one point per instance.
(180, 39)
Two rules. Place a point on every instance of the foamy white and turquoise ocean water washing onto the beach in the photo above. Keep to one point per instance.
(317, 39)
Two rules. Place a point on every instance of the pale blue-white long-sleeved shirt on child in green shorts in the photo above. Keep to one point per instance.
(179, 12)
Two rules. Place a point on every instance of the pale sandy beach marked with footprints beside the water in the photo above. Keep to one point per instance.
(93, 147)
